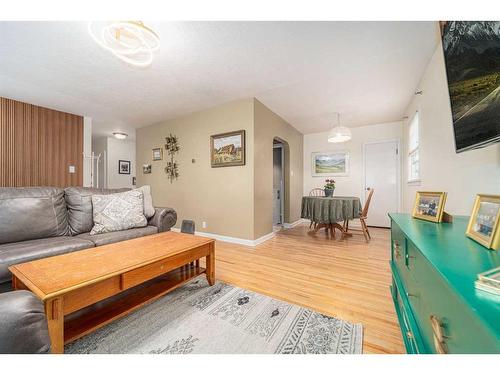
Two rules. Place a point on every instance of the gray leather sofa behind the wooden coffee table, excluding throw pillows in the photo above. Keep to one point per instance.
(39, 222)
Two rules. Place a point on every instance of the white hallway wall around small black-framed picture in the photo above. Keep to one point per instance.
(115, 150)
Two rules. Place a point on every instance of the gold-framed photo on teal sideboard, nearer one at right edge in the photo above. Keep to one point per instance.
(484, 221)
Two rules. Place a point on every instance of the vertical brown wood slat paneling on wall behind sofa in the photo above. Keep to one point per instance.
(37, 146)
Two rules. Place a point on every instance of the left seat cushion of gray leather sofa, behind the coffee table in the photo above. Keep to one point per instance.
(20, 252)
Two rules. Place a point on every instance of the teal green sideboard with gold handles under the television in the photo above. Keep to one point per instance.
(434, 266)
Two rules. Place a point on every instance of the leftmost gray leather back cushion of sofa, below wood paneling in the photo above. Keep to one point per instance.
(32, 212)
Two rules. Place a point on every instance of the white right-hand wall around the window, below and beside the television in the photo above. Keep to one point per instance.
(441, 169)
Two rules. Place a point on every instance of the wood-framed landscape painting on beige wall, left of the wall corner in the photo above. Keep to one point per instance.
(227, 149)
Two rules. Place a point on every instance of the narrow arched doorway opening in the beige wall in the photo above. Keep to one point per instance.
(278, 183)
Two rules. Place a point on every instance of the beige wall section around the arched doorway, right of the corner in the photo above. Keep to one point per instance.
(269, 125)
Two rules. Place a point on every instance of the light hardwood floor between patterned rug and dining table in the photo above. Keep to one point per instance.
(346, 278)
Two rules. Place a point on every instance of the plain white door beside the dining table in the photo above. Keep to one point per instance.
(382, 175)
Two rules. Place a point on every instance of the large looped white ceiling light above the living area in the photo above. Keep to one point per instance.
(130, 41)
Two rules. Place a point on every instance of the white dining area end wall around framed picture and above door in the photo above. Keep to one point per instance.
(353, 184)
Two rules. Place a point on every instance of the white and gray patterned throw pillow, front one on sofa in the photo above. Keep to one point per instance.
(119, 211)
